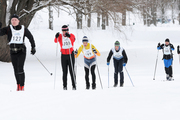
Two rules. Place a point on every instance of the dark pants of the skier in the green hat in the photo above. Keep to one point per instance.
(118, 68)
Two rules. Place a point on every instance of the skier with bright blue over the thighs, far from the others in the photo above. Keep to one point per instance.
(167, 49)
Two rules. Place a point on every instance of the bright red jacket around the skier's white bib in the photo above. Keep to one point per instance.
(65, 51)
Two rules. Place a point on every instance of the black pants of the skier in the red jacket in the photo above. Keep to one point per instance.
(66, 63)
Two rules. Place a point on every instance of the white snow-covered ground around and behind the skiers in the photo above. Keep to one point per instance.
(148, 100)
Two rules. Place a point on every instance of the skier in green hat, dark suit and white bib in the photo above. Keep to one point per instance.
(120, 59)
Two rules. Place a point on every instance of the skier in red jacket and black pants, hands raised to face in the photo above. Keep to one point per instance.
(66, 41)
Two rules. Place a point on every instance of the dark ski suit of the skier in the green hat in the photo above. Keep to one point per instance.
(118, 65)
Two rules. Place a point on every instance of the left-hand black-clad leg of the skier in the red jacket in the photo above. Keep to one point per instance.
(64, 69)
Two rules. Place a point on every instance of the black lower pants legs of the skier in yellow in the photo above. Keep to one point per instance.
(93, 76)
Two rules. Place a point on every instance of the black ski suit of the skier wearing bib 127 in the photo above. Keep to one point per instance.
(18, 52)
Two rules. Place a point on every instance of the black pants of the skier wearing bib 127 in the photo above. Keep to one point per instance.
(18, 60)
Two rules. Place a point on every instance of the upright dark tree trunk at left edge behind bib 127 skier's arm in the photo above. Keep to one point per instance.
(4, 49)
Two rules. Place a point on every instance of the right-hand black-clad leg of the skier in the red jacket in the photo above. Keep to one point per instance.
(71, 69)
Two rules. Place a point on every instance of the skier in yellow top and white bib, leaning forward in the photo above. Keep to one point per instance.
(90, 53)
